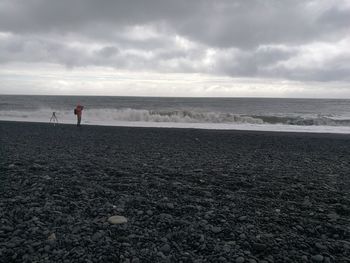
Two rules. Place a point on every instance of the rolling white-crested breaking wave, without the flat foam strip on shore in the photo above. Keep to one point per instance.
(109, 115)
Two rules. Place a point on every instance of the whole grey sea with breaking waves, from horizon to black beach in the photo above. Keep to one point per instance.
(266, 114)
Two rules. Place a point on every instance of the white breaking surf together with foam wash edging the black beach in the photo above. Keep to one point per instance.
(186, 119)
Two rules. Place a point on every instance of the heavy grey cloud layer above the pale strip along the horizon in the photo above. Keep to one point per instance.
(294, 40)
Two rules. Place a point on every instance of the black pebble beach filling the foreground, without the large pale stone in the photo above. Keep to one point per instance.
(188, 195)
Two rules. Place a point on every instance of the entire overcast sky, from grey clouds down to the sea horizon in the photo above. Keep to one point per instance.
(222, 48)
